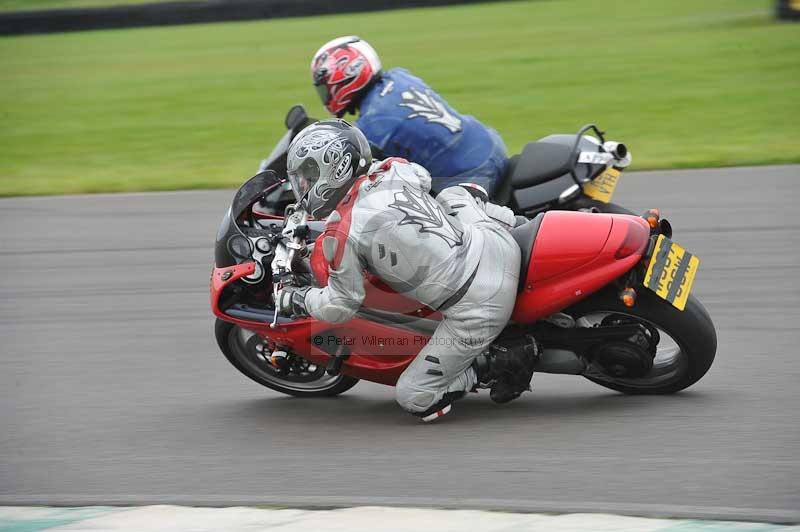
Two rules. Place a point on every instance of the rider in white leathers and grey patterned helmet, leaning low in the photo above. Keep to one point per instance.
(453, 254)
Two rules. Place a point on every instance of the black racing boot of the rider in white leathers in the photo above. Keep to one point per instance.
(507, 368)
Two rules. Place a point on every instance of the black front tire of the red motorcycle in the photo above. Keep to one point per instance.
(242, 355)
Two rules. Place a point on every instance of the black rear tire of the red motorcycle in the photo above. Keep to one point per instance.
(691, 330)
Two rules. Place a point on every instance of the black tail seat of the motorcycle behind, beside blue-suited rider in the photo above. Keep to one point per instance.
(541, 161)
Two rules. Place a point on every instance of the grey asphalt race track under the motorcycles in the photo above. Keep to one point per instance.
(112, 389)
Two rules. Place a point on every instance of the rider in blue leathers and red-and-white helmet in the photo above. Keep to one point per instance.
(402, 116)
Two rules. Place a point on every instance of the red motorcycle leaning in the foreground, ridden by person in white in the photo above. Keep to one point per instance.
(607, 296)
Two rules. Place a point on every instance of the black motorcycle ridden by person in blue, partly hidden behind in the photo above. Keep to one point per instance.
(563, 172)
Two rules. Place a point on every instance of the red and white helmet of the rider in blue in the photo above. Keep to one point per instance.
(341, 70)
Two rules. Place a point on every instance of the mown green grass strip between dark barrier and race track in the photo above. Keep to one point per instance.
(683, 83)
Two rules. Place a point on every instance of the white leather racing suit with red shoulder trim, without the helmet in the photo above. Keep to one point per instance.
(453, 254)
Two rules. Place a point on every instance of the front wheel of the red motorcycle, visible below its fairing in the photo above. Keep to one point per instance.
(247, 352)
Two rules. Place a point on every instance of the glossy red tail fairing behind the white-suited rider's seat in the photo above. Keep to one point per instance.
(574, 255)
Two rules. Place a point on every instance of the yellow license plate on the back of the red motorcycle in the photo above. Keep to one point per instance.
(671, 272)
